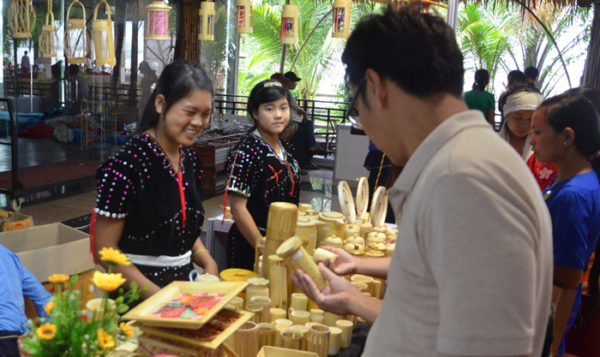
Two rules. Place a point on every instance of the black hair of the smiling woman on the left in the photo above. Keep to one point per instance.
(176, 81)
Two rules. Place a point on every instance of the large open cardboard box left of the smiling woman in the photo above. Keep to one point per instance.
(50, 249)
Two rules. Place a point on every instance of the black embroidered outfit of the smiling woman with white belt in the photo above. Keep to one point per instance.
(138, 184)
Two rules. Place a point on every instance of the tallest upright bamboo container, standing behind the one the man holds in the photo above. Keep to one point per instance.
(281, 225)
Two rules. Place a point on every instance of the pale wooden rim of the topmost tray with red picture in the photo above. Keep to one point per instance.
(143, 312)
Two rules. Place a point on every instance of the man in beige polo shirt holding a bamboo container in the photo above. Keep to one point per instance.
(472, 271)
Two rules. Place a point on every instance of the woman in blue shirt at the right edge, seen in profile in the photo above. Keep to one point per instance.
(566, 132)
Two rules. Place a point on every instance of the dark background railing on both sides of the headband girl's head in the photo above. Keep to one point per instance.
(326, 115)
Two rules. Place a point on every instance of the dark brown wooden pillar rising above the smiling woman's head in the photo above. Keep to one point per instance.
(187, 46)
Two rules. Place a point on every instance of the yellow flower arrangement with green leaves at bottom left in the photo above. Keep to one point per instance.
(69, 330)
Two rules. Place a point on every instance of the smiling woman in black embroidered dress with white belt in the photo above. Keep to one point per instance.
(149, 201)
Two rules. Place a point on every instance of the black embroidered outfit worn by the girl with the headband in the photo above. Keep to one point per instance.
(259, 174)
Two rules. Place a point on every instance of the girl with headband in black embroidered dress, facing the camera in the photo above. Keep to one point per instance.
(261, 171)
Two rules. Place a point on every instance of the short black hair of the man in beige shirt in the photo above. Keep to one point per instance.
(417, 51)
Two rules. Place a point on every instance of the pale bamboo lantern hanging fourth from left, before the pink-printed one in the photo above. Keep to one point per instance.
(102, 34)
